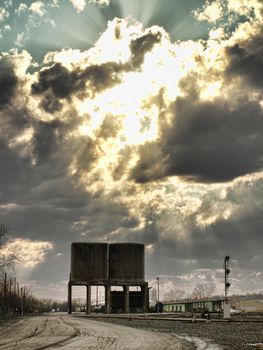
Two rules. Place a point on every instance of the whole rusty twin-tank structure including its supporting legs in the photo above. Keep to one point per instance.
(108, 265)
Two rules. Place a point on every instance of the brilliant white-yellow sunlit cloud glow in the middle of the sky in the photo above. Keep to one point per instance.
(132, 104)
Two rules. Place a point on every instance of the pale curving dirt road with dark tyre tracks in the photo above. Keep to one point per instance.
(68, 332)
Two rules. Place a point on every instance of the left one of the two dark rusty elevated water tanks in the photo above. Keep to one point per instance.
(89, 262)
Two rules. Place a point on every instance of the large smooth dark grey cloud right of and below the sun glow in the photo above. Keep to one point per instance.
(207, 142)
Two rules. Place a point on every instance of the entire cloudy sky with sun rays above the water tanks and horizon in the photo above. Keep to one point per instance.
(133, 121)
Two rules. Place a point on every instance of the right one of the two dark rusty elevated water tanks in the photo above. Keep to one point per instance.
(126, 262)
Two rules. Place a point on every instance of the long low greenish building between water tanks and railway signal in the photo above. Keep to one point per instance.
(212, 305)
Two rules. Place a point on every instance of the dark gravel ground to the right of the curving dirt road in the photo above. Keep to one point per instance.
(230, 336)
